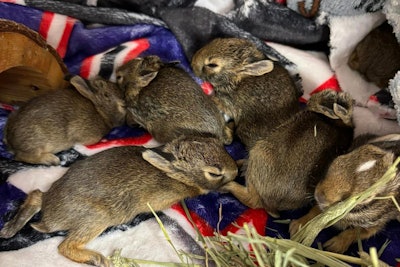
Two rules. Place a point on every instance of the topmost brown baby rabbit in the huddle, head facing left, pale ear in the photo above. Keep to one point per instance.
(257, 93)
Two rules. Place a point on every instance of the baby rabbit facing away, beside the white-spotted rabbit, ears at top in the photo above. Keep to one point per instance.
(283, 168)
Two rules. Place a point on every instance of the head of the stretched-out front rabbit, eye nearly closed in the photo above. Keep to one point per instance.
(203, 159)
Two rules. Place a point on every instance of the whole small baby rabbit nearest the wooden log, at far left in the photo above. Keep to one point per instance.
(57, 120)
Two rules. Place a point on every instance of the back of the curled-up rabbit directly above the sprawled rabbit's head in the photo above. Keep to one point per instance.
(173, 105)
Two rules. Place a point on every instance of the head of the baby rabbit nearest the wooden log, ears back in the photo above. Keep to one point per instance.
(106, 97)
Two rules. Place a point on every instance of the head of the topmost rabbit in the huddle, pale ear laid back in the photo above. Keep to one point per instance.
(226, 61)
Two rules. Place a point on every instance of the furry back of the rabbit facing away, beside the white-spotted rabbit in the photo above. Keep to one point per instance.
(286, 165)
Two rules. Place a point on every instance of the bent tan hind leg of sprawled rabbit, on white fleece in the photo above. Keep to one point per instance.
(73, 246)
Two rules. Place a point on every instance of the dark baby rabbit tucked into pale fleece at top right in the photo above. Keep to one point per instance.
(377, 56)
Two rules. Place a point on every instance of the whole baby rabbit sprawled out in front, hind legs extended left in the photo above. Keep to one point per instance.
(113, 186)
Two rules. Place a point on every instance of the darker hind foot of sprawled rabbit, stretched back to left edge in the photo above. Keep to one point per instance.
(28, 209)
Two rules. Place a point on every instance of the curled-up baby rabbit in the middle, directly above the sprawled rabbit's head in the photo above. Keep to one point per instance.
(167, 102)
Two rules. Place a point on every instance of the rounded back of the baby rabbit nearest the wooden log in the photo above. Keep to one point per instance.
(52, 123)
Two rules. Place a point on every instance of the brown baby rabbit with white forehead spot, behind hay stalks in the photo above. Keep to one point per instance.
(349, 175)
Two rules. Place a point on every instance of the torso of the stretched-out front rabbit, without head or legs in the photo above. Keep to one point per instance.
(117, 188)
